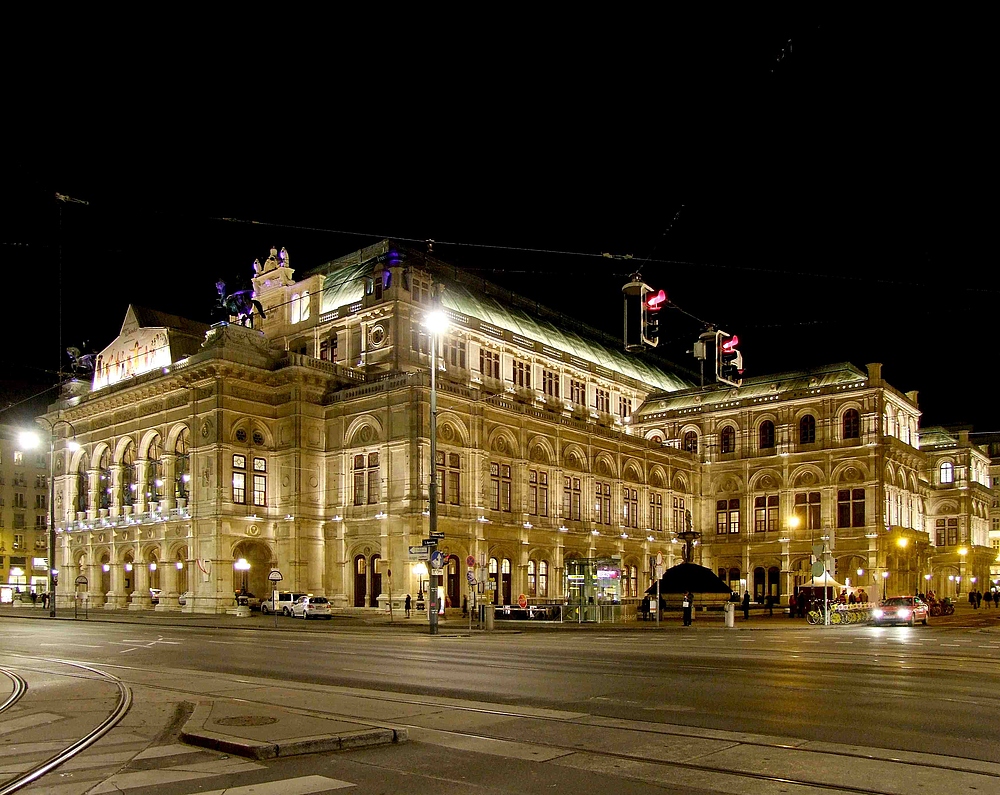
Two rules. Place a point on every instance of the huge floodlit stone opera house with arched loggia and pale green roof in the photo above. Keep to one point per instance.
(564, 466)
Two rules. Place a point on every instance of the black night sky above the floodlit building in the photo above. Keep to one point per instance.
(814, 183)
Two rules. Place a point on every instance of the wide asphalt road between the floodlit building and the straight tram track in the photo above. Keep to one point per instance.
(932, 690)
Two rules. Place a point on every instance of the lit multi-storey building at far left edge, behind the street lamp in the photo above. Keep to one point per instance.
(24, 511)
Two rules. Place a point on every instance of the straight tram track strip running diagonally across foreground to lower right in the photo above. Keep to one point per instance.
(715, 760)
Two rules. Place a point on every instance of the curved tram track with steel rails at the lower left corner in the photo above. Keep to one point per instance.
(18, 713)
